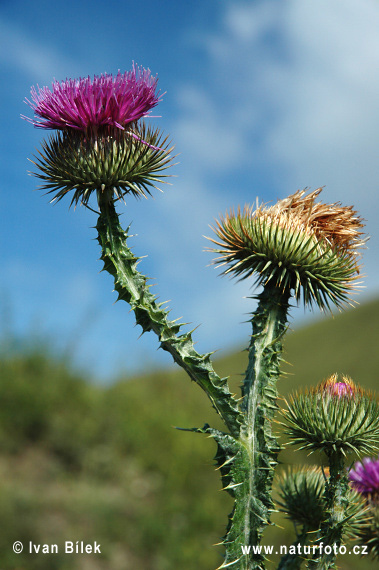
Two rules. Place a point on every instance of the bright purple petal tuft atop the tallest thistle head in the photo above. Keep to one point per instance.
(105, 102)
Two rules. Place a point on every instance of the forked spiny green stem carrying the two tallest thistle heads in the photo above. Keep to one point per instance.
(247, 455)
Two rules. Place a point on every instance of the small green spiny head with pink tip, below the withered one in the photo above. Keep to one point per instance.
(337, 415)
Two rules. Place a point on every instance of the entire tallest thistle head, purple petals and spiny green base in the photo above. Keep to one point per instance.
(101, 146)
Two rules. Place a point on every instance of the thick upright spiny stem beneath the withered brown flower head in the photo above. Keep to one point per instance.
(253, 468)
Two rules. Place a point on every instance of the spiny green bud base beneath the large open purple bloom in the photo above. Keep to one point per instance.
(111, 163)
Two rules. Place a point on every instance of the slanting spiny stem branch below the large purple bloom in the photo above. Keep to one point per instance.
(132, 287)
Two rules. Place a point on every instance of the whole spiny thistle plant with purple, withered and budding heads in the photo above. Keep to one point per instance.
(300, 248)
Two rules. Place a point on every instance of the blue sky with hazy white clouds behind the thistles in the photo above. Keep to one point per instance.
(262, 98)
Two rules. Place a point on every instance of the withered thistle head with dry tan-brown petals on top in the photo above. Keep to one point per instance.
(298, 243)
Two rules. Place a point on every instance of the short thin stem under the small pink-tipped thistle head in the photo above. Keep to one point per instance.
(336, 503)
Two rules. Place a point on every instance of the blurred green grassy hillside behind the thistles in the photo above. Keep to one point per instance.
(83, 462)
